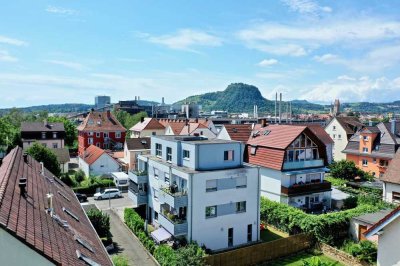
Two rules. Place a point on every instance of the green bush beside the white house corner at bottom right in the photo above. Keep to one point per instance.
(365, 250)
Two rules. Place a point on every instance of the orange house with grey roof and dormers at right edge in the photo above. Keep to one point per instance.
(373, 147)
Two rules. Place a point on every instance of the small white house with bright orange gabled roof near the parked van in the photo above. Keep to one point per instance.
(95, 161)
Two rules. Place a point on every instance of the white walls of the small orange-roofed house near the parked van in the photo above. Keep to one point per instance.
(104, 165)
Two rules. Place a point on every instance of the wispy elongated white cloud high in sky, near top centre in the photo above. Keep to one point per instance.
(184, 39)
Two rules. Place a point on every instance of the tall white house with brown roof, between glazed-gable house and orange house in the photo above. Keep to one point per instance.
(340, 129)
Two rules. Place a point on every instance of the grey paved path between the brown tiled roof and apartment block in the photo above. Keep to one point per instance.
(127, 244)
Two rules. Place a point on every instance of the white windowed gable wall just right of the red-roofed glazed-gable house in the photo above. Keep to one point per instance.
(339, 136)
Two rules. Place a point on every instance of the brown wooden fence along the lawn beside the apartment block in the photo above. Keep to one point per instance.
(261, 252)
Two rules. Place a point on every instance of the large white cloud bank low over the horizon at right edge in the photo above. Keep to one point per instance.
(352, 89)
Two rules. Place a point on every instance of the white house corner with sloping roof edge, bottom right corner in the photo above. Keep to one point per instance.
(388, 230)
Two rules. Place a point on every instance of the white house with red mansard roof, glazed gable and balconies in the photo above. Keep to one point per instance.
(292, 161)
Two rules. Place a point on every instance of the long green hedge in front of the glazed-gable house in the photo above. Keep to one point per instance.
(328, 228)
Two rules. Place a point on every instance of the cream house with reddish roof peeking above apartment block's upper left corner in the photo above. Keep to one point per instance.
(147, 127)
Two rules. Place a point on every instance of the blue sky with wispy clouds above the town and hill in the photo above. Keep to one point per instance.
(69, 51)
